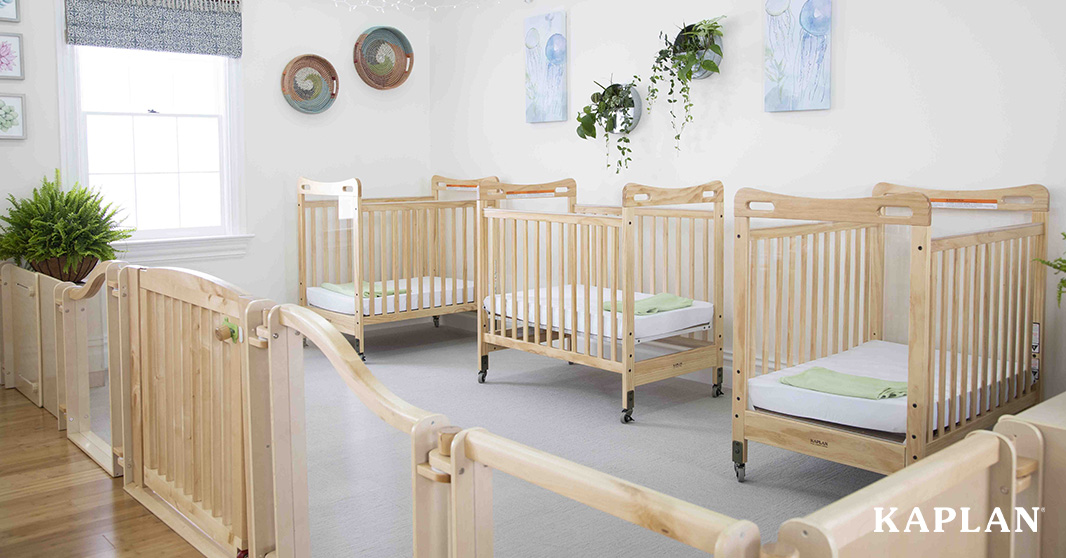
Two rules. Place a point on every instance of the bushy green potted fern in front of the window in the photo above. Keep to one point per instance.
(62, 234)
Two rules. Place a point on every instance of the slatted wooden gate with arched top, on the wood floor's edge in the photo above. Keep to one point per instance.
(184, 437)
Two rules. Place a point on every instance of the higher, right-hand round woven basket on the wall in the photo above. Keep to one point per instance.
(384, 58)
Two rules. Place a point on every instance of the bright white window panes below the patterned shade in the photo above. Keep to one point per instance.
(156, 138)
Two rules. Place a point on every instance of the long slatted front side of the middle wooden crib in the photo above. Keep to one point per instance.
(576, 257)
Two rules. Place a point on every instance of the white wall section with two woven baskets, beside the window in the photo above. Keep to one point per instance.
(381, 137)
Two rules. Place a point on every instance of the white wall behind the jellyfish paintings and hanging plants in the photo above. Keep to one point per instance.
(926, 93)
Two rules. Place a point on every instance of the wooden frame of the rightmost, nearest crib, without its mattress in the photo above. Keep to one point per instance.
(943, 270)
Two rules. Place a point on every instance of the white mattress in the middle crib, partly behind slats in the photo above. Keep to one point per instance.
(655, 326)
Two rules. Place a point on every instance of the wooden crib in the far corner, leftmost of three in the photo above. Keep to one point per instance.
(425, 245)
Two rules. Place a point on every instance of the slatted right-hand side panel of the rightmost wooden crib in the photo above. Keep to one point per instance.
(986, 291)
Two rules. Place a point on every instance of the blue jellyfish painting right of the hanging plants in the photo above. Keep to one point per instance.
(797, 59)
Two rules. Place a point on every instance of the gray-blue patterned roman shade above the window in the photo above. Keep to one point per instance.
(196, 27)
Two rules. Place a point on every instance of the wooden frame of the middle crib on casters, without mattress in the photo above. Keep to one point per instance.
(612, 248)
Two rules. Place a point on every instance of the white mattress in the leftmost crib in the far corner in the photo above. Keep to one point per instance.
(437, 292)
